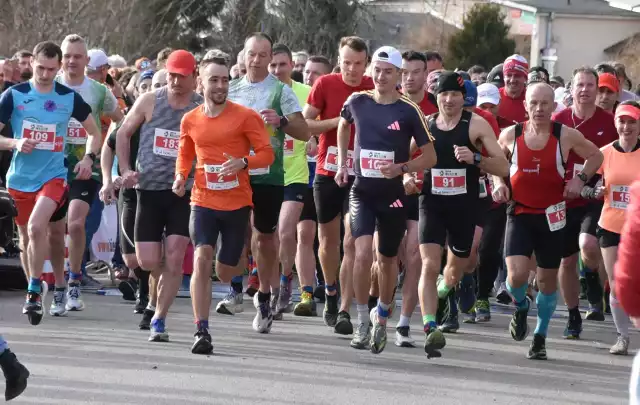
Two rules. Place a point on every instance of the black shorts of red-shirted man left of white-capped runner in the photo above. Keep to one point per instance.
(330, 199)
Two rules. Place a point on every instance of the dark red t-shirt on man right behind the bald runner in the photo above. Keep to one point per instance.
(599, 129)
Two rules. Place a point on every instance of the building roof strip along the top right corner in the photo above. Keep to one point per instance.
(578, 7)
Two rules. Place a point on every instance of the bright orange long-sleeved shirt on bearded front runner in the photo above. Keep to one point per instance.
(234, 132)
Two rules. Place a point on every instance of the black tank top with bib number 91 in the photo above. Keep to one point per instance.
(450, 183)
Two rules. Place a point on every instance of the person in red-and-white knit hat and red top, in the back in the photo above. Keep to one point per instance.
(511, 110)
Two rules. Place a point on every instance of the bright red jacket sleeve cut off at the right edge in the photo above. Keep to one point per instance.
(627, 270)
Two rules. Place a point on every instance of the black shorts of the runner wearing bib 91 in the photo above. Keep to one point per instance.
(453, 224)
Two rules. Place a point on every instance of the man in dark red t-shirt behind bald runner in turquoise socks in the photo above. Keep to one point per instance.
(582, 215)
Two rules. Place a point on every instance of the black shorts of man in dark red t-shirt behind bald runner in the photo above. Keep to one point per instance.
(582, 219)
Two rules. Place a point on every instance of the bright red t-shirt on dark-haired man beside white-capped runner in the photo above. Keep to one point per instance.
(329, 94)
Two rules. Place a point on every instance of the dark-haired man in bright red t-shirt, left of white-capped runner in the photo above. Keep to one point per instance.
(322, 112)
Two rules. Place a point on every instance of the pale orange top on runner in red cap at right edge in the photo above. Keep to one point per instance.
(619, 170)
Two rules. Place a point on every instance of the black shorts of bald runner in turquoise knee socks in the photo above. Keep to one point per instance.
(530, 233)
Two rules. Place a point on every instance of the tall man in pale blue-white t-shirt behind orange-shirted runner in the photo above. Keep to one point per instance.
(280, 110)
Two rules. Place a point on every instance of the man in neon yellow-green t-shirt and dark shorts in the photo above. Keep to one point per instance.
(296, 181)
